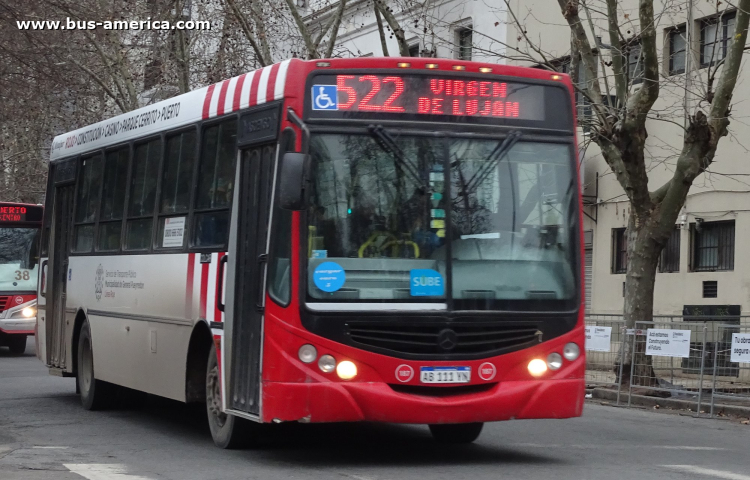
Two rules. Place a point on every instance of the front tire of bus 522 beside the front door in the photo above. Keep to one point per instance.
(228, 431)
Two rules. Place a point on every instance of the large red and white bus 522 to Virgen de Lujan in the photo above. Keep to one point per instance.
(384, 239)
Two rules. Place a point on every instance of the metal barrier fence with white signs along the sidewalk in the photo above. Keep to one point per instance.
(704, 360)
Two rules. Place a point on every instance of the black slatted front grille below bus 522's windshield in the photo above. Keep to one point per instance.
(443, 338)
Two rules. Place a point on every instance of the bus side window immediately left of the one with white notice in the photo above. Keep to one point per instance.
(142, 195)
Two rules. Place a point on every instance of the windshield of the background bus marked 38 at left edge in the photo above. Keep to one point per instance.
(18, 259)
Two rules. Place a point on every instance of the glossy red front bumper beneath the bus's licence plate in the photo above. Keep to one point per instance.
(379, 402)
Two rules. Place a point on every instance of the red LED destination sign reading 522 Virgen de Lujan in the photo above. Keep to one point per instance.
(411, 95)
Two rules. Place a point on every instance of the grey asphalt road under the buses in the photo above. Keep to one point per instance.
(45, 435)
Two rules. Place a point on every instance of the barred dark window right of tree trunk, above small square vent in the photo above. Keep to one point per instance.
(713, 246)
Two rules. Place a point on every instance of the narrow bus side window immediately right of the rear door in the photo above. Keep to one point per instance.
(87, 200)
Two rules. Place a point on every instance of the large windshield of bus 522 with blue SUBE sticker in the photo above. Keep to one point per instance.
(480, 223)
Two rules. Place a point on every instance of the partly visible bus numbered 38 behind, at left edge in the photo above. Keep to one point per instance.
(19, 256)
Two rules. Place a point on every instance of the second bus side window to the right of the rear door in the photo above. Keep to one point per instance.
(113, 199)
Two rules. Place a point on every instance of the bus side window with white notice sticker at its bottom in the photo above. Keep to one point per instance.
(177, 180)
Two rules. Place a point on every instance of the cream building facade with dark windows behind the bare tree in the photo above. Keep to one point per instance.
(702, 270)
